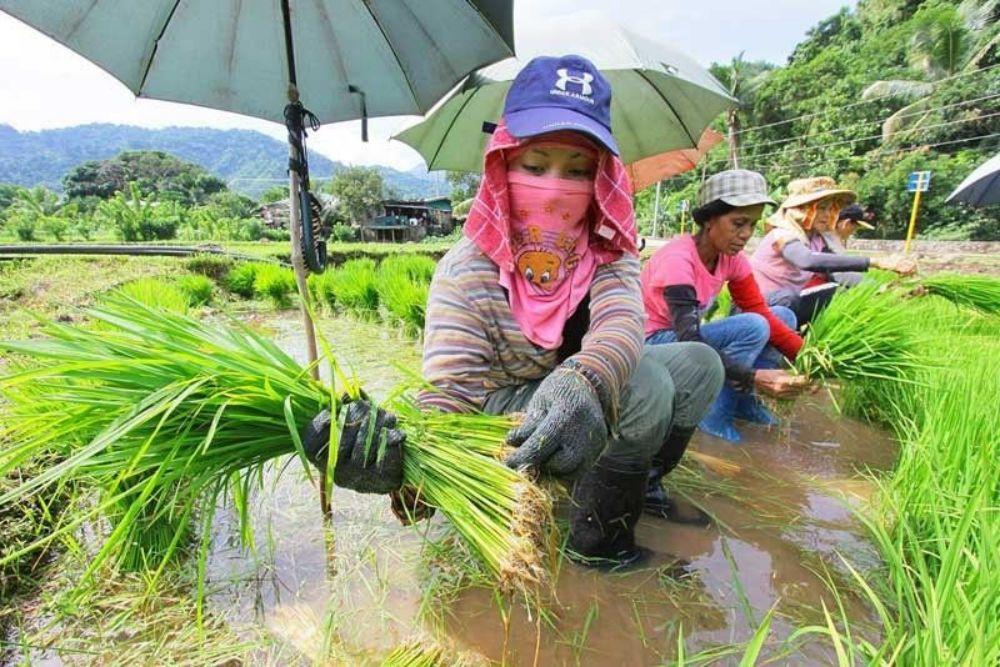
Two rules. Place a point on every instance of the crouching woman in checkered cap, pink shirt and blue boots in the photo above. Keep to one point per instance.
(682, 280)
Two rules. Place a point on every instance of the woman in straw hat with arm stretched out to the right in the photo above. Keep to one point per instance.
(793, 250)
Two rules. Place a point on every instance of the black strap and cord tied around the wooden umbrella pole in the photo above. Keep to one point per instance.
(310, 209)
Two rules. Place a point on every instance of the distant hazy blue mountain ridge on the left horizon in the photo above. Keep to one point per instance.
(249, 161)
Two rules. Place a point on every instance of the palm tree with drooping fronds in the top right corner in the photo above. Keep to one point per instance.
(947, 40)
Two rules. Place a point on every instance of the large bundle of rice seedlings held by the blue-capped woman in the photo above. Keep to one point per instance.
(167, 415)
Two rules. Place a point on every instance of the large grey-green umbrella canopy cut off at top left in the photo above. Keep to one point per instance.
(231, 54)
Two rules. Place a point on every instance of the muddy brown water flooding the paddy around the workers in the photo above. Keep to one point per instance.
(782, 520)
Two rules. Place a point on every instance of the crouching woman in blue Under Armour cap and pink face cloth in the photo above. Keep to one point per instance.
(537, 310)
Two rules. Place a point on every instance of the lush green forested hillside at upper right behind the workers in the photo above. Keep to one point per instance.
(869, 96)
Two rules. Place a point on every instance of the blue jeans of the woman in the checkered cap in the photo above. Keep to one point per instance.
(742, 338)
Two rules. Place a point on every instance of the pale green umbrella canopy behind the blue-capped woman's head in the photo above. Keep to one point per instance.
(662, 100)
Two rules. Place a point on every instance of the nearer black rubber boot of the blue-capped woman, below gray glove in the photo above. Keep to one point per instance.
(607, 503)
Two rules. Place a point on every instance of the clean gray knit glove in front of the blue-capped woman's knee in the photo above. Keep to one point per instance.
(563, 429)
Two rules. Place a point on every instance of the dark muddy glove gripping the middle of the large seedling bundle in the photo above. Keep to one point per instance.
(356, 468)
